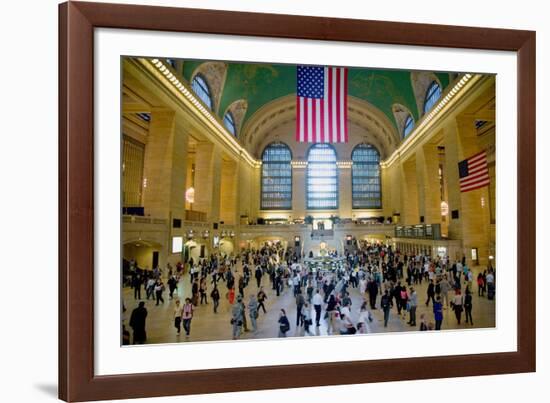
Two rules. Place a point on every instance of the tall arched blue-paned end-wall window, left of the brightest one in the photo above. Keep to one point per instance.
(276, 177)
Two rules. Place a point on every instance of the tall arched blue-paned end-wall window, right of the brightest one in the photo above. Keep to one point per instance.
(365, 177)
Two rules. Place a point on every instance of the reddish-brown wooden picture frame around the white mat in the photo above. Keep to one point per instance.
(77, 21)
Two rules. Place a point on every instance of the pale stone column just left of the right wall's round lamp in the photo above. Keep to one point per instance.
(429, 193)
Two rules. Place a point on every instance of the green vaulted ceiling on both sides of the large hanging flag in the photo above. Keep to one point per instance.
(260, 84)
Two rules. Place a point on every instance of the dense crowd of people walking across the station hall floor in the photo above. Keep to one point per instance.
(385, 279)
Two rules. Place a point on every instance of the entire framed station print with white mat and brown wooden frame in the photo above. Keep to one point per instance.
(255, 201)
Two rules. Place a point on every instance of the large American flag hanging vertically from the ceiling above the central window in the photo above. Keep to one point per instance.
(322, 104)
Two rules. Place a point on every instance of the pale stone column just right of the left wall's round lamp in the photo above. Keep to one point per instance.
(207, 180)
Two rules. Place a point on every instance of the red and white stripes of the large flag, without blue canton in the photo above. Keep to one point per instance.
(325, 120)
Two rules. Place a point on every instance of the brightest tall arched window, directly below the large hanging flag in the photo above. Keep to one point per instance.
(322, 178)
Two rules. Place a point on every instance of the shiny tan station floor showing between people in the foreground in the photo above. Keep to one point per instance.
(208, 326)
